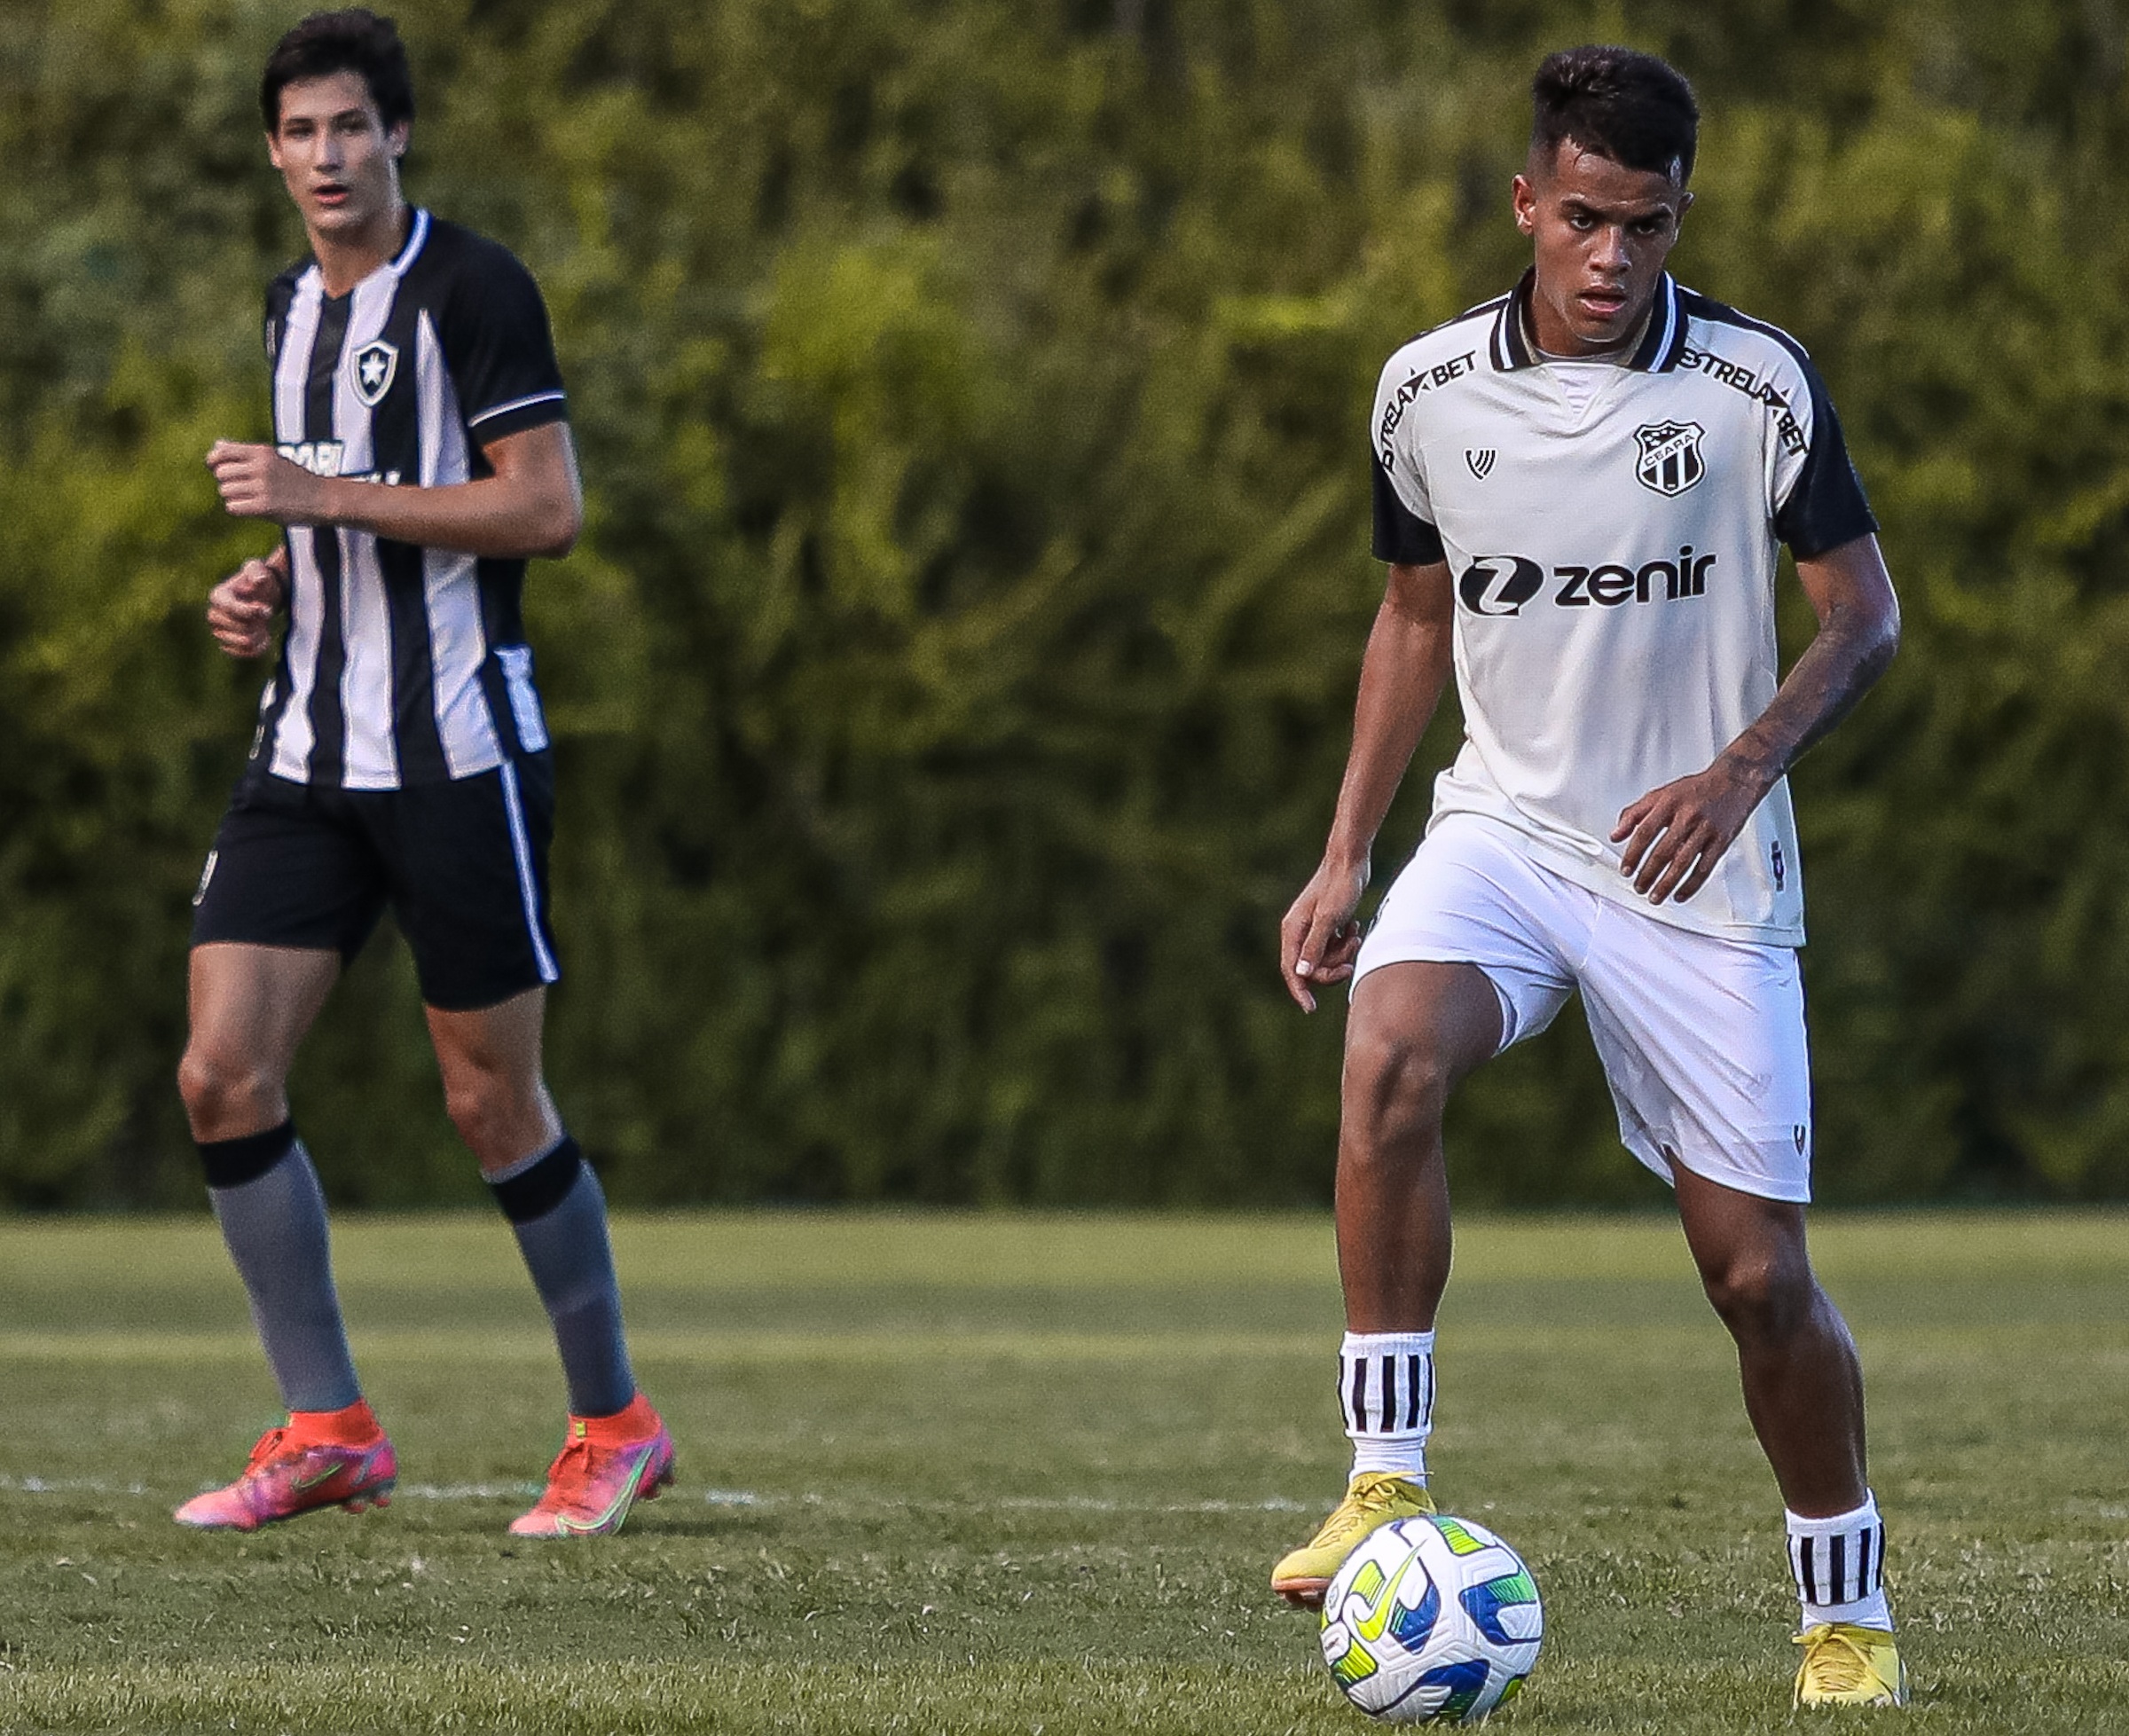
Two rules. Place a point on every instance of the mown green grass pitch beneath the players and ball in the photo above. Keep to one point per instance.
(1029, 1475)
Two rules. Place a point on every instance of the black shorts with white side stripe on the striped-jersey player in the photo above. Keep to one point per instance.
(461, 864)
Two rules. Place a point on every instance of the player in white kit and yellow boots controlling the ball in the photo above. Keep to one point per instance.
(1581, 491)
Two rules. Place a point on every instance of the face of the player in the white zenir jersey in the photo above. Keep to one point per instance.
(1602, 238)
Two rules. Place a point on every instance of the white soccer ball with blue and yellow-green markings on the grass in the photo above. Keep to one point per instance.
(1432, 1622)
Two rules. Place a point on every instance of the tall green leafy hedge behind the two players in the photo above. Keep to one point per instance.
(957, 672)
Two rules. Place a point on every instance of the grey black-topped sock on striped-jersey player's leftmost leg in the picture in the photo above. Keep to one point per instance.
(274, 1222)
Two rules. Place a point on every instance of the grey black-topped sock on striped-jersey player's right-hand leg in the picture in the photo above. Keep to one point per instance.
(561, 1217)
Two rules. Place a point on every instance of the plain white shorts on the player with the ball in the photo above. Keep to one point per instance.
(1702, 1038)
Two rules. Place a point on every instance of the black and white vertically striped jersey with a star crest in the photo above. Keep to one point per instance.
(403, 666)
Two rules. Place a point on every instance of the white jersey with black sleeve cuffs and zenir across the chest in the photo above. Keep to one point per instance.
(1615, 559)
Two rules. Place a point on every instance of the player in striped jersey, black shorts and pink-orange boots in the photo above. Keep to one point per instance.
(420, 459)
